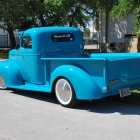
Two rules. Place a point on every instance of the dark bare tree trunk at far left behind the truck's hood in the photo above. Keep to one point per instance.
(11, 37)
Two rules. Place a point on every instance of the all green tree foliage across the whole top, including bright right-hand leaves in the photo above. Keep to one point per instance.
(24, 14)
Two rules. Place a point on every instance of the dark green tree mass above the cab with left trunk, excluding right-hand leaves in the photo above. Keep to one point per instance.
(24, 14)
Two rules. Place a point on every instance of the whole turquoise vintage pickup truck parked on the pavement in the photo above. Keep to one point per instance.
(52, 60)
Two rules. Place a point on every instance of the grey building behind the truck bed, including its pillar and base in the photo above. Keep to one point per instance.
(112, 32)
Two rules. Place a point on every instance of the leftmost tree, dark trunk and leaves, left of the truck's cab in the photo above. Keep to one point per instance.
(11, 14)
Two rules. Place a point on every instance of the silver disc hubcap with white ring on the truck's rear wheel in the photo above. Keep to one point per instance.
(63, 91)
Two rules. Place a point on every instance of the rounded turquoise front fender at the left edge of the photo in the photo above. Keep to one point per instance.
(10, 73)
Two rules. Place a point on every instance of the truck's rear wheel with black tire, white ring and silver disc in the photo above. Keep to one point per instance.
(65, 93)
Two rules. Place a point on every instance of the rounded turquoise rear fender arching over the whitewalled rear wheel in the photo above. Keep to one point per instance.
(85, 87)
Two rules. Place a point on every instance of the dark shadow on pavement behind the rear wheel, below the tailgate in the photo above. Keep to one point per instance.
(106, 106)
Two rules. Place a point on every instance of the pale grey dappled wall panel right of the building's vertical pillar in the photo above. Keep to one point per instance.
(117, 28)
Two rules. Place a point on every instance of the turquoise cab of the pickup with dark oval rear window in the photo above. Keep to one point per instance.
(53, 42)
